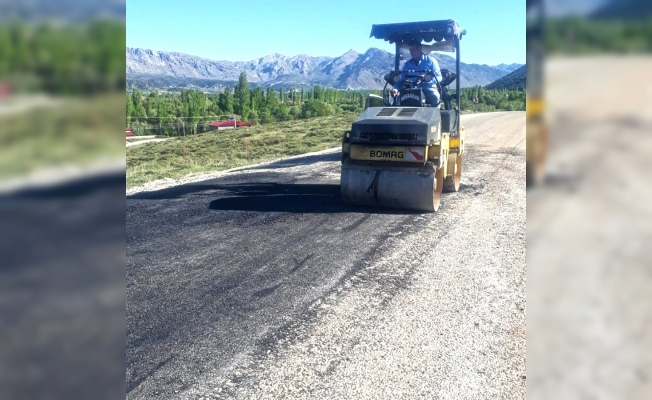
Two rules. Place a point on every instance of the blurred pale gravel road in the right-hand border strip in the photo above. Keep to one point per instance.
(589, 256)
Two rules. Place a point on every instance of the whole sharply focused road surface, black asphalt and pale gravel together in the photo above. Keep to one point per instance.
(263, 284)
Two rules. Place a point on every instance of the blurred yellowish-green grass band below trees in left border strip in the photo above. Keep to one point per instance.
(74, 131)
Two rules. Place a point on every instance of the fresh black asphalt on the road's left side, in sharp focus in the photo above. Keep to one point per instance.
(215, 268)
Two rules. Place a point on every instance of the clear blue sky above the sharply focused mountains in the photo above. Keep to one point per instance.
(245, 30)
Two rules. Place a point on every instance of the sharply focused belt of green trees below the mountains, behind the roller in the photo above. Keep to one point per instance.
(190, 111)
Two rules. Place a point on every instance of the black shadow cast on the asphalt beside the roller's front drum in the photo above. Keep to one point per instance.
(291, 198)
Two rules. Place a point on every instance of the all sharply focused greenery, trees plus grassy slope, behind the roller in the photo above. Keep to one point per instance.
(286, 123)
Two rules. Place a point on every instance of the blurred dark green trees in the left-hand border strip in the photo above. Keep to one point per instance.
(65, 58)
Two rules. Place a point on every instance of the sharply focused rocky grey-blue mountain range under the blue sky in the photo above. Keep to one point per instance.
(150, 69)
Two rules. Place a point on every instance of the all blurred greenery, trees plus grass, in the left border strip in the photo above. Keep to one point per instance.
(64, 104)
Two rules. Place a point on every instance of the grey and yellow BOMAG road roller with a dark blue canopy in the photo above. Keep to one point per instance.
(402, 152)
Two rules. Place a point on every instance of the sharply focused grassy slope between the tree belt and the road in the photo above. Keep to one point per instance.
(225, 149)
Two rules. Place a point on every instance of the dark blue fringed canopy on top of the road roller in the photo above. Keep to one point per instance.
(425, 31)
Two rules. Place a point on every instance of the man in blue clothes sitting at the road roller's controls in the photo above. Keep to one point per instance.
(422, 64)
